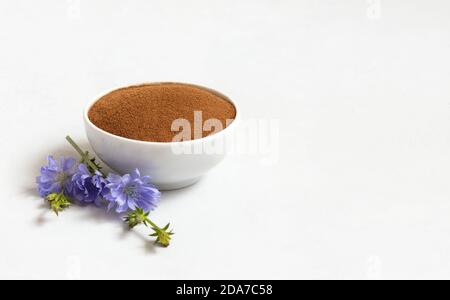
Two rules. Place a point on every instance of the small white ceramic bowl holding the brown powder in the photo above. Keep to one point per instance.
(163, 162)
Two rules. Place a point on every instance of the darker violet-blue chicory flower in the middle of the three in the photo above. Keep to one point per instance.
(88, 188)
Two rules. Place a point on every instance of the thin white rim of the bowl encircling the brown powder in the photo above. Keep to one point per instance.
(203, 139)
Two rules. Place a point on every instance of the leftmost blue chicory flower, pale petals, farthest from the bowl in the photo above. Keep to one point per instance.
(56, 176)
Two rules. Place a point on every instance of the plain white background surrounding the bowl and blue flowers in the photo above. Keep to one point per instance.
(360, 88)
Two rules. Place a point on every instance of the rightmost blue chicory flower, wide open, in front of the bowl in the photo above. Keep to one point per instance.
(130, 192)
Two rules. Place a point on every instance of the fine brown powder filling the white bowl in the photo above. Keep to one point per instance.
(146, 112)
